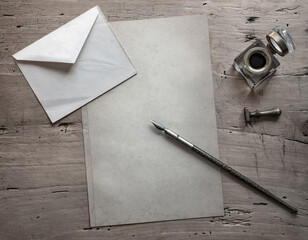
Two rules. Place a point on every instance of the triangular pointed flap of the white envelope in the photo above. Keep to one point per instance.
(62, 45)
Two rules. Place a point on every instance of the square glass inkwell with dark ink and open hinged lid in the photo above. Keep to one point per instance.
(257, 62)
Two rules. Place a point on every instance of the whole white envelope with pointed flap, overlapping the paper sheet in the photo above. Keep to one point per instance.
(74, 64)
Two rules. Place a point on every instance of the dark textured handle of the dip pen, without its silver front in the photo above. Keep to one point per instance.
(243, 178)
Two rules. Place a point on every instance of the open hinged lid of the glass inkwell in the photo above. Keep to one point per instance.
(280, 41)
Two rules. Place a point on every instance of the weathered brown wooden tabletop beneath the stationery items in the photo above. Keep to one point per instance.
(43, 192)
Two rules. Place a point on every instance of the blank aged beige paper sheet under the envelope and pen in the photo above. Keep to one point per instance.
(135, 173)
